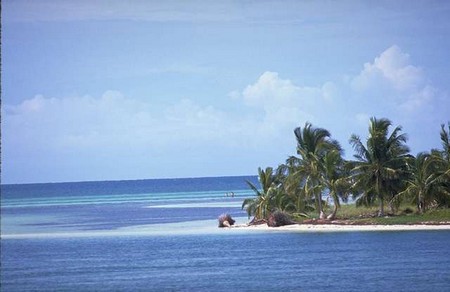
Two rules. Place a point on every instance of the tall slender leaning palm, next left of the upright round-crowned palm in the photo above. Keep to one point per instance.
(312, 145)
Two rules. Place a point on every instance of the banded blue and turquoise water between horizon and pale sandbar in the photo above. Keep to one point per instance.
(109, 206)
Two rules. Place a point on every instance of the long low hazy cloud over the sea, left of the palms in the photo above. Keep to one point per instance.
(110, 121)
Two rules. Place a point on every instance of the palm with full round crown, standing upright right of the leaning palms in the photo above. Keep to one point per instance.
(380, 161)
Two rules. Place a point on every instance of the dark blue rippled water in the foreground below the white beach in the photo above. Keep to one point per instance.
(353, 261)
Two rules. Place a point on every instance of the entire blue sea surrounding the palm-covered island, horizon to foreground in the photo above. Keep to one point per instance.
(162, 235)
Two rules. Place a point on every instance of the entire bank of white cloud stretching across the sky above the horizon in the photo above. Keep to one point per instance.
(113, 136)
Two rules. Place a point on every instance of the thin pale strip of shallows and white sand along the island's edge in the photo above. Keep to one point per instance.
(209, 227)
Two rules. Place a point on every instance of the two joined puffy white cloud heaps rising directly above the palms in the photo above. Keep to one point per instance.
(391, 86)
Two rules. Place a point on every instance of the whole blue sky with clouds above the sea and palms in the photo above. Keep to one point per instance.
(116, 90)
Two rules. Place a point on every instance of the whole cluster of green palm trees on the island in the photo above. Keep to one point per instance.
(383, 173)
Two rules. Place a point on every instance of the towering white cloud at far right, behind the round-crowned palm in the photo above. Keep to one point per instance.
(392, 86)
